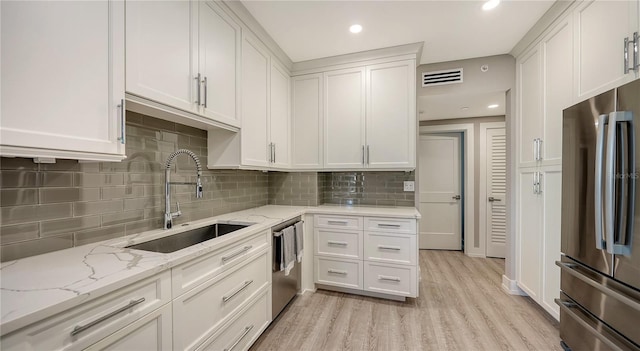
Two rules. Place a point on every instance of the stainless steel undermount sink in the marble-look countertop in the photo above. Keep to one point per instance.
(177, 242)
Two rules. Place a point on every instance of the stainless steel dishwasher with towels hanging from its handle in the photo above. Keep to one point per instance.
(284, 287)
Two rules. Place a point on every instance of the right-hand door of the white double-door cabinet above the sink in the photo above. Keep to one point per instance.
(219, 63)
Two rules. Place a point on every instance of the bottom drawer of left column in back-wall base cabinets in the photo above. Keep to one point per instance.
(344, 273)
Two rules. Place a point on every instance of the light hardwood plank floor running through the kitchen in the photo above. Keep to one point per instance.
(461, 307)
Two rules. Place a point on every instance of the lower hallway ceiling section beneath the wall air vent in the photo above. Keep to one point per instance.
(435, 107)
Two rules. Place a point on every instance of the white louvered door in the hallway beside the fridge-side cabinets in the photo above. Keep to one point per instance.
(495, 221)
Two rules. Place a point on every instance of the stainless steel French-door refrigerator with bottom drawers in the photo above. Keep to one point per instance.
(600, 266)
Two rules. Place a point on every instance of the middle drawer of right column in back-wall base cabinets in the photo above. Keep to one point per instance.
(391, 248)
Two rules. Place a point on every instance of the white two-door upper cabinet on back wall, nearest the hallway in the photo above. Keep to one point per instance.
(370, 119)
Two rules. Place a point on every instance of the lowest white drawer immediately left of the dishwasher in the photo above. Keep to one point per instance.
(244, 329)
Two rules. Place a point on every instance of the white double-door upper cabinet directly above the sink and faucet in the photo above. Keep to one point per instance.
(186, 55)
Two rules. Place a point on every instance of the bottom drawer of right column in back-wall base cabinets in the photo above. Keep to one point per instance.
(390, 279)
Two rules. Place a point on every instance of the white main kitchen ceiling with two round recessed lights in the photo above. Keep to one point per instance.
(450, 30)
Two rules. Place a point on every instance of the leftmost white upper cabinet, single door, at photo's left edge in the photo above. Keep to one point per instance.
(63, 85)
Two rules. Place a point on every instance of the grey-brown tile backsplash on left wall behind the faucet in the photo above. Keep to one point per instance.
(48, 207)
